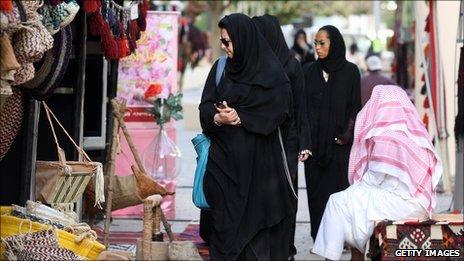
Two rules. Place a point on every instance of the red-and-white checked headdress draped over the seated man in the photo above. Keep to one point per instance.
(389, 132)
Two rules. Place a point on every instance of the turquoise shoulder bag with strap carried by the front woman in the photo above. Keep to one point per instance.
(201, 144)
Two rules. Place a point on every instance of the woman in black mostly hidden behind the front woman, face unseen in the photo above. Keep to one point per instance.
(296, 134)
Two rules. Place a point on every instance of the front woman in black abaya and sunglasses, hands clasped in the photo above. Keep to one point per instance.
(245, 183)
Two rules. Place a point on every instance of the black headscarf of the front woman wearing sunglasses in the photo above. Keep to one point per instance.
(253, 62)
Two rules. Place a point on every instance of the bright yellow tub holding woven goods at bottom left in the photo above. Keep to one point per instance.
(11, 225)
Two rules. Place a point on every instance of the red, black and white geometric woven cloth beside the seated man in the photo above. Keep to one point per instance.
(390, 236)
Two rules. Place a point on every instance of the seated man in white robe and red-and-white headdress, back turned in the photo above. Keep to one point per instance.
(393, 172)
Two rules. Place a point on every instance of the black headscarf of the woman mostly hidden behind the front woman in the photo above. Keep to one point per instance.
(269, 27)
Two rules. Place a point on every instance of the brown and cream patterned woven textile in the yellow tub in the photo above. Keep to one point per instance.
(41, 245)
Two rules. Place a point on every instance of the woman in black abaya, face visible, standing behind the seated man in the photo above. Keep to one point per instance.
(333, 101)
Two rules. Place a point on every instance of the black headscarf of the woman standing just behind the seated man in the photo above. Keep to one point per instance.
(337, 51)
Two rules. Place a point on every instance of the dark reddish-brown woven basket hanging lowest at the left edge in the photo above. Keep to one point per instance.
(11, 118)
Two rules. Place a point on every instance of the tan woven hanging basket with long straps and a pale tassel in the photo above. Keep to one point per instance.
(64, 181)
